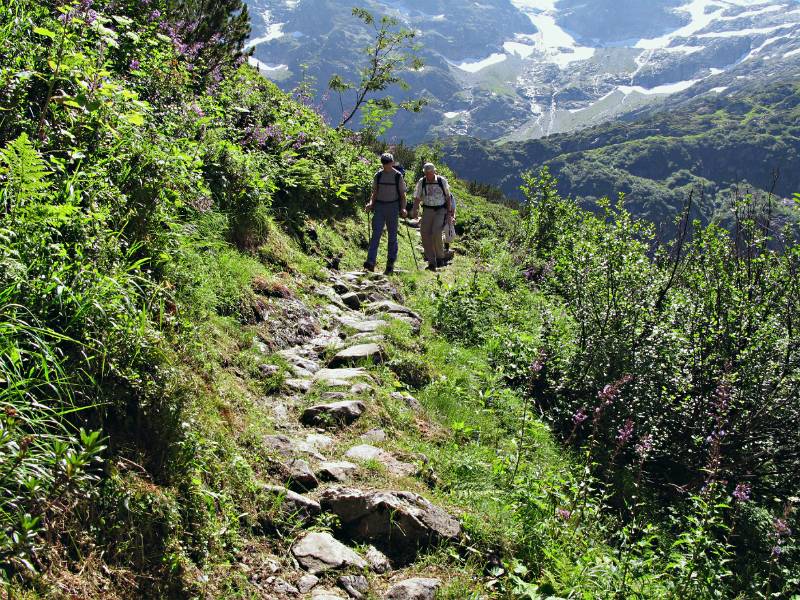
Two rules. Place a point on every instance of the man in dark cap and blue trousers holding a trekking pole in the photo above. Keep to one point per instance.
(387, 202)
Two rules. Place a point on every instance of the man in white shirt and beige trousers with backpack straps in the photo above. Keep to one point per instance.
(434, 194)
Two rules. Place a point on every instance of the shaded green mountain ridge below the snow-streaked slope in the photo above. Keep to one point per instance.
(709, 144)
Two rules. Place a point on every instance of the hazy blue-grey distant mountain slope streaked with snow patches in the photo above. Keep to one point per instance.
(524, 69)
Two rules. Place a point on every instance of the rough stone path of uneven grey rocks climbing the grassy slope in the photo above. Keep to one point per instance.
(315, 471)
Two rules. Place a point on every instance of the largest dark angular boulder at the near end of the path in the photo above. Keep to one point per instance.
(406, 520)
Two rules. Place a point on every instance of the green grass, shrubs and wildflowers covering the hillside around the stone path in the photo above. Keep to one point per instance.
(610, 418)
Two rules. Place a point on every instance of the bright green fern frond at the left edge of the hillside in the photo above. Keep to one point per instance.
(23, 174)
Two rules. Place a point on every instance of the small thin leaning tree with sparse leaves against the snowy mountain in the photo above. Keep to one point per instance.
(391, 51)
